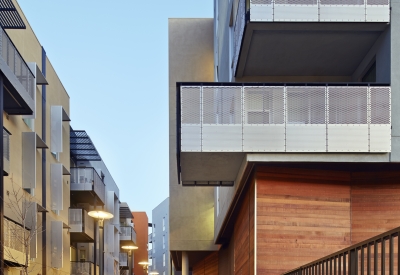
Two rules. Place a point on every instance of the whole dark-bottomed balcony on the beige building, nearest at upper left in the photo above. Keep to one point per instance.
(19, 81)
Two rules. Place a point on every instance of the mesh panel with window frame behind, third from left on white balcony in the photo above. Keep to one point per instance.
(263, 105)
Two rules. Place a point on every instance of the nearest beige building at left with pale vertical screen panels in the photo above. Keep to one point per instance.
(34, 186)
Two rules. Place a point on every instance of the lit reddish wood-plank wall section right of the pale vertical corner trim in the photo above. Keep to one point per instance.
(302, 215)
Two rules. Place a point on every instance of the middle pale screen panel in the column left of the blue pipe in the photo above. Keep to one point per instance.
(28, 160)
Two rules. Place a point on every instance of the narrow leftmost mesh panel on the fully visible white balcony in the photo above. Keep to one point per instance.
(190, 100)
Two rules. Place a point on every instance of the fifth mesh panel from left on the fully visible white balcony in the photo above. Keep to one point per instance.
(348, 105)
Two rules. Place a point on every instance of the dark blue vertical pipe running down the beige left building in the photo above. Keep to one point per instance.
(44, 195)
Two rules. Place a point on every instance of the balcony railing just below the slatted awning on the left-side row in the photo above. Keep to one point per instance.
(87, 179)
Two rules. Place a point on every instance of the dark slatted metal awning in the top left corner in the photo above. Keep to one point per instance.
(9, 16)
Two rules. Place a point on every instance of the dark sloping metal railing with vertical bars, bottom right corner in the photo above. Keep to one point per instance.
(377, 255)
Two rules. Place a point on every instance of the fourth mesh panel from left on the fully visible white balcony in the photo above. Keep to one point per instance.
(305, 105)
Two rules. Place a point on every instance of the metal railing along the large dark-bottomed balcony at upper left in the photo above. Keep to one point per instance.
(16, 63)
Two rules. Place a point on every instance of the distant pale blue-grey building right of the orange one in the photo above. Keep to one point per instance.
(159, 252)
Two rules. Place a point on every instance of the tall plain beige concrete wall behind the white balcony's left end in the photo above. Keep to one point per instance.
(191, 209)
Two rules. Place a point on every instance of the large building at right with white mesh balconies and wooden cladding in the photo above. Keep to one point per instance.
(284, 137)
